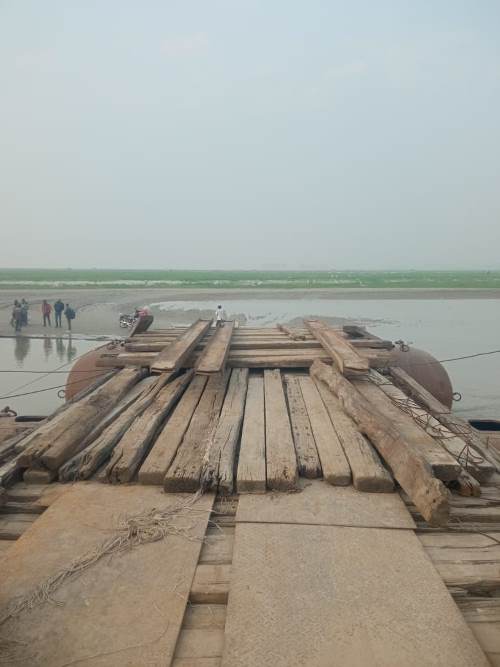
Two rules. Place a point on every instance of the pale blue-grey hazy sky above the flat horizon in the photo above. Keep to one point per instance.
(250, 134)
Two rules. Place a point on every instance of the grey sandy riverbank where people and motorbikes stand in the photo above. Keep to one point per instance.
(98, 310)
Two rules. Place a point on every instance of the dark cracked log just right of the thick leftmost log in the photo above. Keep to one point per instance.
(87, 462)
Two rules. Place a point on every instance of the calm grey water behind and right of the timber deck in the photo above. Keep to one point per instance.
(445, 328)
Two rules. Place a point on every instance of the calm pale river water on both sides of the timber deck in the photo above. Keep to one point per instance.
(445, 328)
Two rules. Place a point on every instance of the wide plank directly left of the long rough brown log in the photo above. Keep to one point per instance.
(368, 473)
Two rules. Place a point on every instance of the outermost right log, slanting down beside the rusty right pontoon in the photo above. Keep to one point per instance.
(443, 414)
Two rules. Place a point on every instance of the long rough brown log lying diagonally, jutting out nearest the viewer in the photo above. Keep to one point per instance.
(408, 466)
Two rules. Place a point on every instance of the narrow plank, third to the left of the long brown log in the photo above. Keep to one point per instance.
(305, 447)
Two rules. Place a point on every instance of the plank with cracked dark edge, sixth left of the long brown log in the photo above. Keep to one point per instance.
(220, 458)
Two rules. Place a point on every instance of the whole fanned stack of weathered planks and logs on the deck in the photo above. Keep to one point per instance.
(250, 410)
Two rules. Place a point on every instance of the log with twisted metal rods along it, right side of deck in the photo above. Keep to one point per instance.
(480, 469)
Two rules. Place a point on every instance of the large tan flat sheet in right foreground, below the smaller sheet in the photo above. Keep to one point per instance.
(350, 613)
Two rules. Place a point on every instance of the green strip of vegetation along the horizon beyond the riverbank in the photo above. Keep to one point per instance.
(88, 278)
